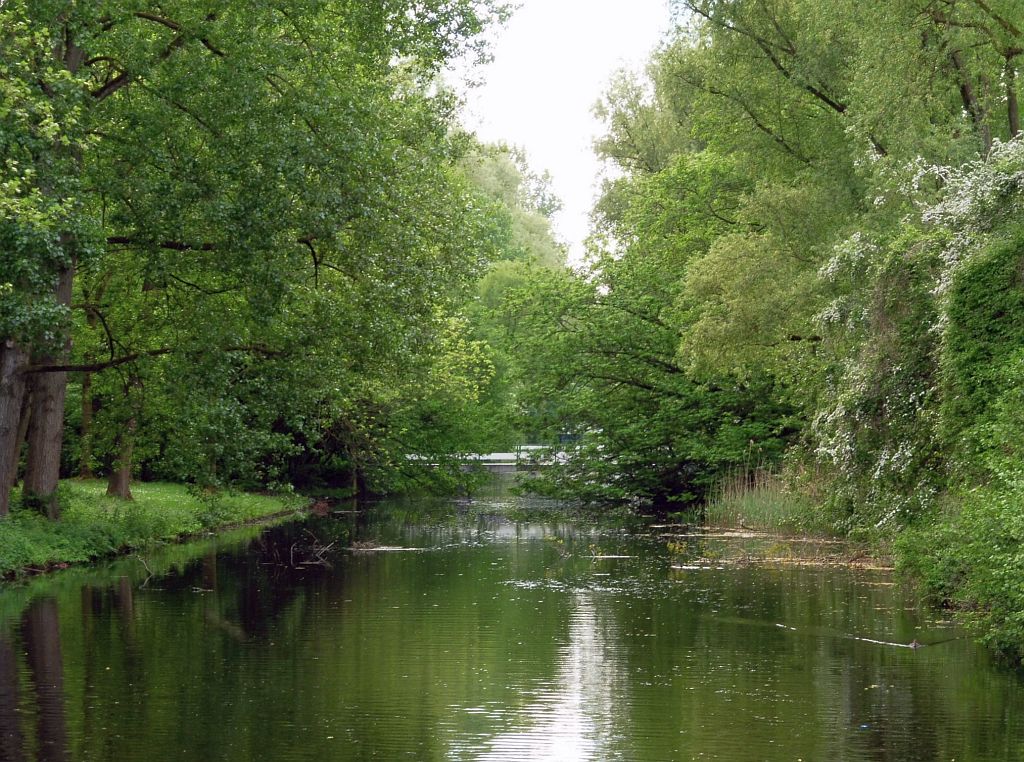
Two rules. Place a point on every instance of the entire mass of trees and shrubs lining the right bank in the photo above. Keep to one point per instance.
(810, 262)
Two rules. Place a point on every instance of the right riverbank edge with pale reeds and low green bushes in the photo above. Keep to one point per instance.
(964, 557)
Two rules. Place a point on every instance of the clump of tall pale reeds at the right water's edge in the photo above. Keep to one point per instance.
(761, 500)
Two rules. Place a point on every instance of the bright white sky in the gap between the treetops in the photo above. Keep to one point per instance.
(552, 62)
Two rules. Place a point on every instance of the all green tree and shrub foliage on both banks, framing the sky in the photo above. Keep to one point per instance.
(292, 266)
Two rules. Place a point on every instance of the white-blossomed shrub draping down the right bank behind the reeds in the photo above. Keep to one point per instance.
(919, 323)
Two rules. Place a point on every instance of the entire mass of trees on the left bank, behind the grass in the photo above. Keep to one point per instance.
(242, 244)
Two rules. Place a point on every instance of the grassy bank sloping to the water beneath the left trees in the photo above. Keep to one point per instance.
(95, 526)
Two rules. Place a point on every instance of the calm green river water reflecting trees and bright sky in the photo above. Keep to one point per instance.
(495, 641)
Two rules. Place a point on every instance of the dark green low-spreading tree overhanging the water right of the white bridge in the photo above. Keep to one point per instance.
(607, 390)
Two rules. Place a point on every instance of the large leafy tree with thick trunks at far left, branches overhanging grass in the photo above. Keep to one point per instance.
(242, 141)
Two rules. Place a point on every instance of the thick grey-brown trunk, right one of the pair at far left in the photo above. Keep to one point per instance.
(47, 428)
